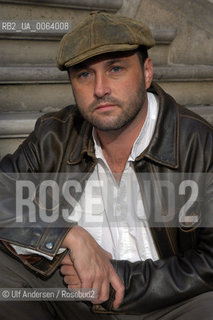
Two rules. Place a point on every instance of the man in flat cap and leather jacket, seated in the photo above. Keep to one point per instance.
(124, 126)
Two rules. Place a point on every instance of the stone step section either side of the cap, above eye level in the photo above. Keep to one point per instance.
(40, 48)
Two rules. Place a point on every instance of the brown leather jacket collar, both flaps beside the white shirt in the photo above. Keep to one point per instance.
(163, 148)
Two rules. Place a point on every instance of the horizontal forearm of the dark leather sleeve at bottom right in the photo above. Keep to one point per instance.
(153, 285)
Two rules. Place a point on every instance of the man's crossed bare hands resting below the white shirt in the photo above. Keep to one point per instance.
(90, 266)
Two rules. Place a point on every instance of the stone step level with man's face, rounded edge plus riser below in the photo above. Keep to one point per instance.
(47, 88)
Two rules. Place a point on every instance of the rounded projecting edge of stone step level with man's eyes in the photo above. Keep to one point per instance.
(51, 74)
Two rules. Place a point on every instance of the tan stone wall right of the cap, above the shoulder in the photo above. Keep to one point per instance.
(185, 67)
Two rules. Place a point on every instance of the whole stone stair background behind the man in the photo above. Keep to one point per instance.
(30, 83)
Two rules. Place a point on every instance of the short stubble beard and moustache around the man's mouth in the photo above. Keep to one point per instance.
(104, 123)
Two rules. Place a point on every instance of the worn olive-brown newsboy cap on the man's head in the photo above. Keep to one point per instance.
(100, 33)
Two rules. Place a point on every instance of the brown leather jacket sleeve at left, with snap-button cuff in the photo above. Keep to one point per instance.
(35, 233)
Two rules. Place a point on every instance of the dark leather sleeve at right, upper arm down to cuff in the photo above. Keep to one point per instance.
(150, 285)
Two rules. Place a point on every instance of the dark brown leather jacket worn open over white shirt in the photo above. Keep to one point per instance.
(182, 142)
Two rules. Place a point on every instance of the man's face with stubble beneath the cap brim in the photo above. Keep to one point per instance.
(110, 90)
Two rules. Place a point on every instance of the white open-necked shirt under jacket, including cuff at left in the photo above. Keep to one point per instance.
(114, 214)
